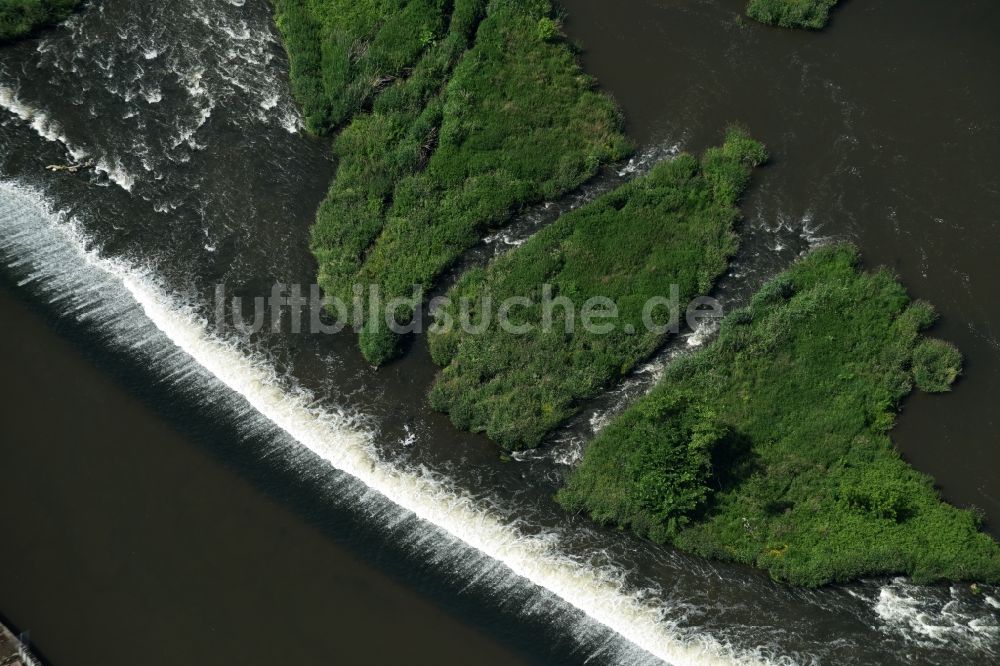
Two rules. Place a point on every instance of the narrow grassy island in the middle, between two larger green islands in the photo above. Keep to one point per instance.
(671, 227)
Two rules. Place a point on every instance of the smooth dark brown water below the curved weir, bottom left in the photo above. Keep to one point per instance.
(138, 547)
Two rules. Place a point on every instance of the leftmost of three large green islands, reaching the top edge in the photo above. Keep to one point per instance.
(449, 135)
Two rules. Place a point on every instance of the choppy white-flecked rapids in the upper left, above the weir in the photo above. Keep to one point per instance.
(219, 54)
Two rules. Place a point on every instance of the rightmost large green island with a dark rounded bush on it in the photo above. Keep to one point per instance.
(805, 482)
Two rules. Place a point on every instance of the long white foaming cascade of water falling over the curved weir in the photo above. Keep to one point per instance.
(56, 257)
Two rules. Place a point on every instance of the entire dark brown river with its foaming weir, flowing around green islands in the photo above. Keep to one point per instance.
(180, 494)
